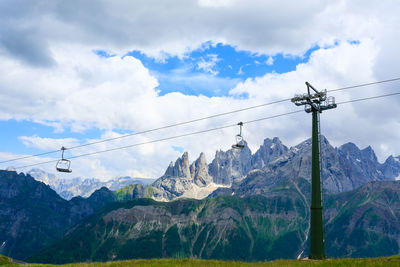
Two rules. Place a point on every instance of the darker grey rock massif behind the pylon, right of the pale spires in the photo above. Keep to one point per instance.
(343, 169)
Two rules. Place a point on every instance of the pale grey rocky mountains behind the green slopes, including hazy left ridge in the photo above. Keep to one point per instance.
(344, 168)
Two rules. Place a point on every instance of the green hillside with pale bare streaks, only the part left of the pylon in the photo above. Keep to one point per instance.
(229, 228)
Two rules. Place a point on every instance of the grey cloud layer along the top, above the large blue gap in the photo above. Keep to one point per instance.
(173, 27)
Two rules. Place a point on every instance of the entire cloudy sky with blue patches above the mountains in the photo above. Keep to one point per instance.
(76, 72)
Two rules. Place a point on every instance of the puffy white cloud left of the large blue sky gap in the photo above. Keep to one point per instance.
(82, 90)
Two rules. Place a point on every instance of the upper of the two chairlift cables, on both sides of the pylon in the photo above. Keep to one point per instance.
(188, 122)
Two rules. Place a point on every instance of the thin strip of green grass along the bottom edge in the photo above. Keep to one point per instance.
(366, 262)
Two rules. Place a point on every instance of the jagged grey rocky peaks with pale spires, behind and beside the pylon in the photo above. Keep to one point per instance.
(343, 169)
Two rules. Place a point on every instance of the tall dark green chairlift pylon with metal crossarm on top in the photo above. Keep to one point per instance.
(315, 102)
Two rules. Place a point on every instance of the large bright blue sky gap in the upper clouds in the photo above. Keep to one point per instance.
(214, 69)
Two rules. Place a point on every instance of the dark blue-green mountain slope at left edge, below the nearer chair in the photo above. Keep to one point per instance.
(32, 215)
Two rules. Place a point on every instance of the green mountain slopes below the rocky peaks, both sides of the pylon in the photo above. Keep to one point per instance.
(361, 223)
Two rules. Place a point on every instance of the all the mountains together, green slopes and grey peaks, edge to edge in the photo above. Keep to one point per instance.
(253, 207)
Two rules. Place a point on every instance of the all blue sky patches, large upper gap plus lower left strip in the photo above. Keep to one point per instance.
(227, 67)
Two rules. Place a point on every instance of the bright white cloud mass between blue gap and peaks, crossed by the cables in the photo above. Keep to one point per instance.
(120, 93)
